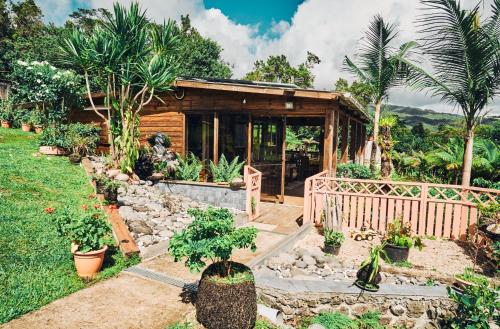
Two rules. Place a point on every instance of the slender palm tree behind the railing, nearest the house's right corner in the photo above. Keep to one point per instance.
(378, 66)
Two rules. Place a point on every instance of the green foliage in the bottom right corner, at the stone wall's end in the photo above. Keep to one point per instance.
(476, 306)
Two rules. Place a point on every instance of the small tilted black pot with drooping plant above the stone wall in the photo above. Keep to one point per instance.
(368, 275)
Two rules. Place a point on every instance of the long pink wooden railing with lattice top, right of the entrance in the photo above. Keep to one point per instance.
(444, 211)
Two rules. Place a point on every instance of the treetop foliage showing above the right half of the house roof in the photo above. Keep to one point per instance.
(278, 69)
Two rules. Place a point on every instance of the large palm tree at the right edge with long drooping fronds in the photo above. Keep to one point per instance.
(465, 55)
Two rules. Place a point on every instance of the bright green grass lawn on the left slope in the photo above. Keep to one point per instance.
(36, 266)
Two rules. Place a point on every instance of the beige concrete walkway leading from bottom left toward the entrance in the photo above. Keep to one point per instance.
(148, 296)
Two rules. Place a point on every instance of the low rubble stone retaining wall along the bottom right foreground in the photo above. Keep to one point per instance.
(414, 310)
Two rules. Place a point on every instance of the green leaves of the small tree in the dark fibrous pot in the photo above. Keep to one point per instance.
(212, 235)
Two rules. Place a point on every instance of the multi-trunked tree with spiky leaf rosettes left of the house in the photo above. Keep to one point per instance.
(131, 60)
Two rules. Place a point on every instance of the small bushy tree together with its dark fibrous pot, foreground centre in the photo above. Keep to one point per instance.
(226, 296)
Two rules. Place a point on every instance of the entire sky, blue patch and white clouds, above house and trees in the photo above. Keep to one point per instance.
(249, 30)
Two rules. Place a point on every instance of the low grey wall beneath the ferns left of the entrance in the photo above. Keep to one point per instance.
(210, 193)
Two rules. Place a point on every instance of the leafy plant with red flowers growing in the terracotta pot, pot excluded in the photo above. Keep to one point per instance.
(90, 229)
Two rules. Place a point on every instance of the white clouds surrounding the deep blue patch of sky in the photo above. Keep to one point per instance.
(329, 28)
